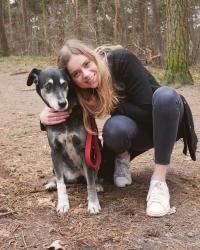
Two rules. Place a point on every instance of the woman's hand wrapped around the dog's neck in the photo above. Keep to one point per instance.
(50, 116)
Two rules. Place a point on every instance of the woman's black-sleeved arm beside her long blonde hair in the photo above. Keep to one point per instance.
(138, 85)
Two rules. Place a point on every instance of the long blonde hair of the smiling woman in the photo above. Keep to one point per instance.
(98, 102)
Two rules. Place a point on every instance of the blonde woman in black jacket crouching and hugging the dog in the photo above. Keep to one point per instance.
(143, 114)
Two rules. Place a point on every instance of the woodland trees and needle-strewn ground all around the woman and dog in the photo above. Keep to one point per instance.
(165, 35)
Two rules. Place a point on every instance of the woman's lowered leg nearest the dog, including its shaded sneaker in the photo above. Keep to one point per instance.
(122, 135)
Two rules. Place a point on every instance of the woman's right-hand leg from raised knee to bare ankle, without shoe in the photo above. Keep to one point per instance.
(167, 114)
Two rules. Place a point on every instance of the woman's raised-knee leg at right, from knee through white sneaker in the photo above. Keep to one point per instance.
(167, 114)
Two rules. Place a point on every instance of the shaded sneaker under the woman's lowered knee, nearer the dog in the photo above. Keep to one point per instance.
(122, 175)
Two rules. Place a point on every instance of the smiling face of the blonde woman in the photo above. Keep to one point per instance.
(83, 71)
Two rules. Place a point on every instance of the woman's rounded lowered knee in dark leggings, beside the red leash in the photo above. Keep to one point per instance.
(118, 132)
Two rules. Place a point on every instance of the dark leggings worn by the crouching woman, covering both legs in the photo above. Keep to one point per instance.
(121, 133)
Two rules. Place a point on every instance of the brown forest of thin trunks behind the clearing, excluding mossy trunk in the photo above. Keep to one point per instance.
(40, 27)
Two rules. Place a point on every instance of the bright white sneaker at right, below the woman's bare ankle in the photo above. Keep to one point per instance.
(158, 199)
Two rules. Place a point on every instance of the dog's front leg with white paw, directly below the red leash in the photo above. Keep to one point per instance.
(93, 201)
